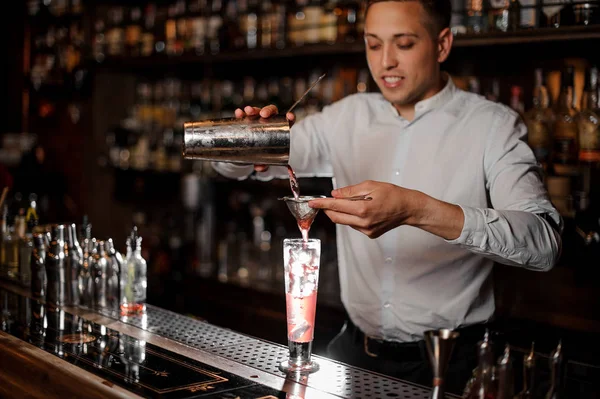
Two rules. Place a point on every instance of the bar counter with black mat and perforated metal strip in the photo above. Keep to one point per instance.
(76, 352)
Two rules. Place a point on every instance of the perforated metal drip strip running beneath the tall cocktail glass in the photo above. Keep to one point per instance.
(333, 377)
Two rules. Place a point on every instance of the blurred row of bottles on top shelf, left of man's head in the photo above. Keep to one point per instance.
(209, 27)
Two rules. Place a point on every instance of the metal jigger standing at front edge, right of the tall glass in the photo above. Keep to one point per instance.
(440, 344)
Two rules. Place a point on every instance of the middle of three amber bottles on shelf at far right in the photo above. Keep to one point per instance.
(566, 137)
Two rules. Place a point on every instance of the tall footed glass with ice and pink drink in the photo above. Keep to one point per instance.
(301, 263)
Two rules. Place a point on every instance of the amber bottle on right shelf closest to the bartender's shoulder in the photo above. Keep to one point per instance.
(539, 120)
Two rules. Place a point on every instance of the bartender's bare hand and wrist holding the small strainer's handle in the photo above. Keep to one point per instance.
(391, 206)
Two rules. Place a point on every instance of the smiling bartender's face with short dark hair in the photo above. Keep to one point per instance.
(402, 55)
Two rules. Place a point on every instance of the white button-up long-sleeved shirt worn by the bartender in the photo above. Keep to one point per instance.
(459, 148)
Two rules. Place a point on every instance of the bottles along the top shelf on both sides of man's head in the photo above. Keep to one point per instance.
(208, 27)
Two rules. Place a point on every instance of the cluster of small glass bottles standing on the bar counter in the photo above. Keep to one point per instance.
(50, 261)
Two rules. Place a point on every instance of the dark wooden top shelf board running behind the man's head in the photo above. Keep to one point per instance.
(565, 34)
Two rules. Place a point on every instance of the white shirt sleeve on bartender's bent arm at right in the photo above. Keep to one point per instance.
(522, 227)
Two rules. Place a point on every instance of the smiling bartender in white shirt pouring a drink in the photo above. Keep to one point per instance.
(454, 187)
